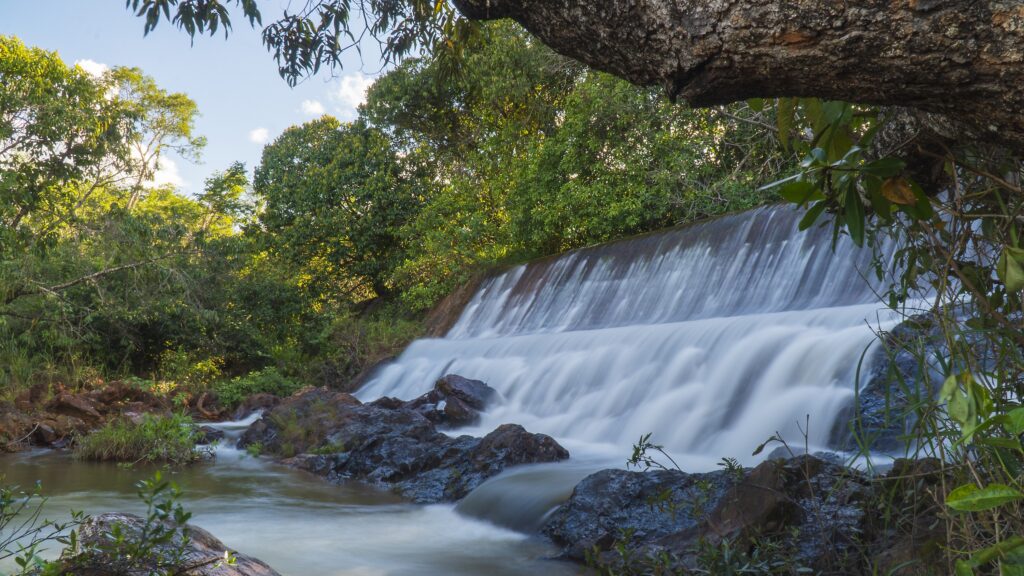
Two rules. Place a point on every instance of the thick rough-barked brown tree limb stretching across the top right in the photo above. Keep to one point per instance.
(959, 63)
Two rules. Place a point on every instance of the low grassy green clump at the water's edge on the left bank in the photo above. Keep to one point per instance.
(152, 439)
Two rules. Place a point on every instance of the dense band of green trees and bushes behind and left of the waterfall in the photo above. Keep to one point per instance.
(348, 233)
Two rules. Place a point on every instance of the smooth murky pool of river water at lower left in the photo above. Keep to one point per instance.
(297, 523)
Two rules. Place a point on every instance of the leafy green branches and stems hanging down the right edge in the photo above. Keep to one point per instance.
(958, 234)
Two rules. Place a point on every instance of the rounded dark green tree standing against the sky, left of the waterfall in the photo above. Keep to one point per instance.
(334, 198)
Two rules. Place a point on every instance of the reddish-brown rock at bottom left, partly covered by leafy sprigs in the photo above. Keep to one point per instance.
(202, 552)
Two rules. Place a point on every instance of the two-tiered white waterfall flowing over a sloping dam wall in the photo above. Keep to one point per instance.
(712, 338)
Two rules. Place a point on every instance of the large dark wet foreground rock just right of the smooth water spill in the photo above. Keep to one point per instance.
(812, 508)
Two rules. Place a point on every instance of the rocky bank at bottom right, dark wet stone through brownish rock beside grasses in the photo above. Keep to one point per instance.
(798, 515)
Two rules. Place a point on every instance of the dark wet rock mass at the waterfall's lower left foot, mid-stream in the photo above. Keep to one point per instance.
(392, 446)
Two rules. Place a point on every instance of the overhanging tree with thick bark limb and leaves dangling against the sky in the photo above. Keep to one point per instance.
(956, 62)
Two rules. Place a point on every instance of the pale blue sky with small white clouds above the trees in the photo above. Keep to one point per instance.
(243, 102)
